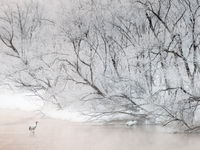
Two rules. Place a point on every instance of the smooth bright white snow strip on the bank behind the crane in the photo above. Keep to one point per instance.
(25, 102)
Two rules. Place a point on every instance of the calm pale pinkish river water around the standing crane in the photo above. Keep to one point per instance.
(53, 134)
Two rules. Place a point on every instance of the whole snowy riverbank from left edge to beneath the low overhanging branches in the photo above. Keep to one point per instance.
(29, 103)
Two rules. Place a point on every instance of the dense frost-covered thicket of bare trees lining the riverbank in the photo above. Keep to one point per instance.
(139, 58)
